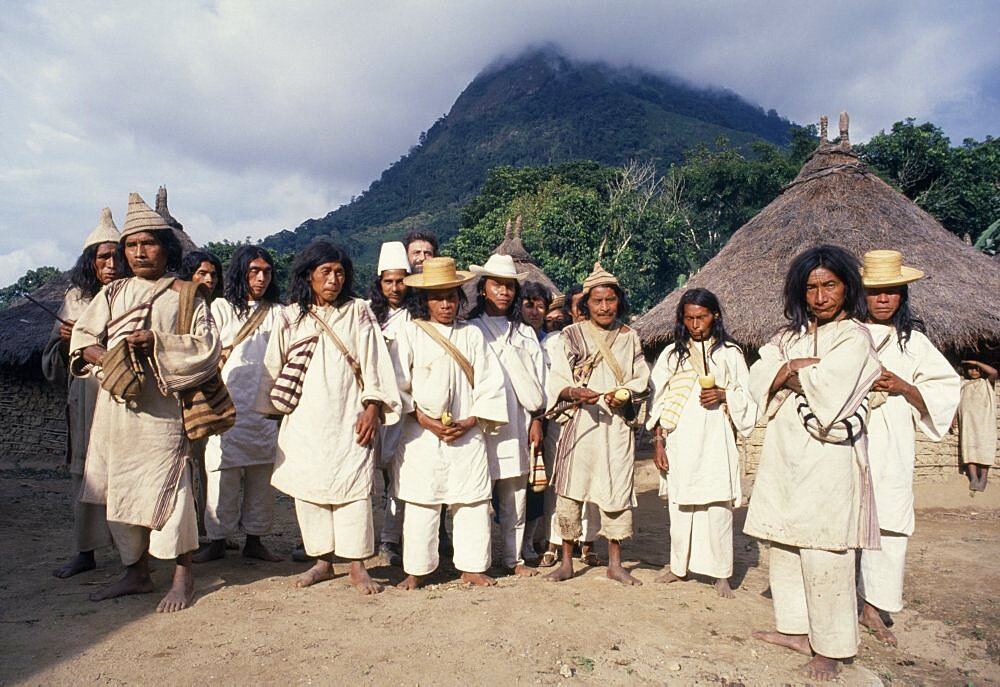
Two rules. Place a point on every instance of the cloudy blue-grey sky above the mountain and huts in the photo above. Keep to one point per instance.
(259, 115)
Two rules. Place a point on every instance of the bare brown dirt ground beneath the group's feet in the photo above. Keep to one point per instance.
(249, 625)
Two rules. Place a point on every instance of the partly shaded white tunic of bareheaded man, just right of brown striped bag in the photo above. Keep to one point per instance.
(253, 439)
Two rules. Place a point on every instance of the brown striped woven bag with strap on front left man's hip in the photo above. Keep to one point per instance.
(208, 408)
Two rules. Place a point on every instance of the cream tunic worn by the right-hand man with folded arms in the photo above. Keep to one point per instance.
(808, 492)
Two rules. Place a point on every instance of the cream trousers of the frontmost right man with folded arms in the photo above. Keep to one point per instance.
(813, 593)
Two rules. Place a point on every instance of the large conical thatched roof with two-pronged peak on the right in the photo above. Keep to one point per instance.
(836, 199)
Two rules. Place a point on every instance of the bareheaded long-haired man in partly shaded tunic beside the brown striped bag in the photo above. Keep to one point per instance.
(245, 317)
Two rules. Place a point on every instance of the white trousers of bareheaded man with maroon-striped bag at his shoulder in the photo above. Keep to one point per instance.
(345, 529)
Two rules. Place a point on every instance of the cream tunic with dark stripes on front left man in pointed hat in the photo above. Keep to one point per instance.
(138, 450)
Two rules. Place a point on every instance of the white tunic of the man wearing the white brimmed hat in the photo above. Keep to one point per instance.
(520, 356)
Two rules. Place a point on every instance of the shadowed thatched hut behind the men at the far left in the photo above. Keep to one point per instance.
(33, 410)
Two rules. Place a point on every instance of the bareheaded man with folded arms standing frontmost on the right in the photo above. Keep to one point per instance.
(812, 499)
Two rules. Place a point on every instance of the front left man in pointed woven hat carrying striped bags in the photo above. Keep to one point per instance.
(138, 459)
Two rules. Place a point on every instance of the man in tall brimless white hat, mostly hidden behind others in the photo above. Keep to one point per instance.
(388, 297)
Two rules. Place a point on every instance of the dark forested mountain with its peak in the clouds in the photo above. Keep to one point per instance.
(540, 109)
